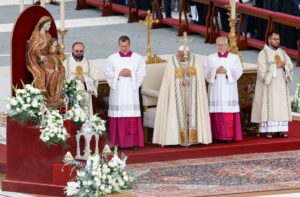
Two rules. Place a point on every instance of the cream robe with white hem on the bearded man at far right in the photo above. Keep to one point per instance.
(272, 106)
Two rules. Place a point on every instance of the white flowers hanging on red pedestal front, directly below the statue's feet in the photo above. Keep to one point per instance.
(54, 132)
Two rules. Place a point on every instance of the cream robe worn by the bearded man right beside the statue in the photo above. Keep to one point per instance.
(90, 78)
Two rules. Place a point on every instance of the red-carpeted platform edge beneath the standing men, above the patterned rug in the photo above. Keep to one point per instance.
(250, 144)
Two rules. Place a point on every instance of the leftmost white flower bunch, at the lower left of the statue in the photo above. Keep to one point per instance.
(26, 104)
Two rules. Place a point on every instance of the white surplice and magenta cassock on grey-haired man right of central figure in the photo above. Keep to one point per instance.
(223, 95)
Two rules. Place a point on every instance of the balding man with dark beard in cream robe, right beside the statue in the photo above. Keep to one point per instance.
(80, 68)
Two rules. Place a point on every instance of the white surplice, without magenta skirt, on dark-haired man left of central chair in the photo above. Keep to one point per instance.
(124, 91)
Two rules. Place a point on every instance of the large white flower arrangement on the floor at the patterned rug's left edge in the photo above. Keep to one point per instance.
(101, 176)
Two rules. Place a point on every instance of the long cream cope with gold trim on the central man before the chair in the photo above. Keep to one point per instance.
(170, 119)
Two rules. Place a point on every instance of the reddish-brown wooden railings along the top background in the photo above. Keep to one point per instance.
(212, 29)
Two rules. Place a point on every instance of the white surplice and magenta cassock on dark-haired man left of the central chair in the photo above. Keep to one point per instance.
(125, 125)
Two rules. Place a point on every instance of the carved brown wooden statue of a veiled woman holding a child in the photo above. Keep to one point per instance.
(44, 61)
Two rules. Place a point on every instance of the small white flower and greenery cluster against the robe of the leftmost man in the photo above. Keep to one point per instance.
(74, 91)
